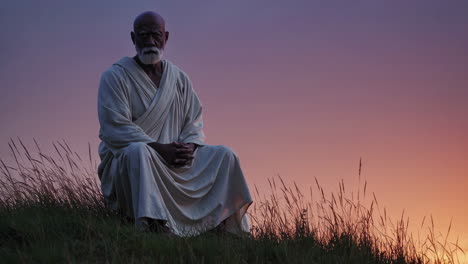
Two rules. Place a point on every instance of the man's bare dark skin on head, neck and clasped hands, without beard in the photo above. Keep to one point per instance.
(149, 31)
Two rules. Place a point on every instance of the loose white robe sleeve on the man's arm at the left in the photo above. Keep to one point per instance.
(117, 129)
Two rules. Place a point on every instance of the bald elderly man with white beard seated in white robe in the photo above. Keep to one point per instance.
(155, 166)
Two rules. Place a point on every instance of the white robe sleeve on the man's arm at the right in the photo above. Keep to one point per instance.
(192, 131)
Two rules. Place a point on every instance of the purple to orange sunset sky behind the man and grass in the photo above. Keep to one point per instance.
(302, 89)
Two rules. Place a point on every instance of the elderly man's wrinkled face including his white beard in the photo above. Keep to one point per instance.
(149, 38)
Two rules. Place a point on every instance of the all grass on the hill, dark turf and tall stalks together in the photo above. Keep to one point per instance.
(52, 211)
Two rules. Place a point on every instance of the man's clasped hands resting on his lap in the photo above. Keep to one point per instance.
(177, 154)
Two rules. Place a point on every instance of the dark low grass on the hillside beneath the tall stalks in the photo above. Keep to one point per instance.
(53, 233)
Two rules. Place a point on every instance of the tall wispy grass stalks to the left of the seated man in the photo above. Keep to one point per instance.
(65, 180)
